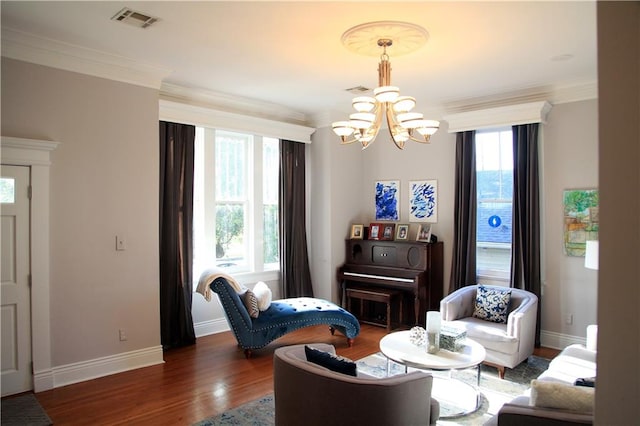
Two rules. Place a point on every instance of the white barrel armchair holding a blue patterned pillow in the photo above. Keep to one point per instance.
(507, 345)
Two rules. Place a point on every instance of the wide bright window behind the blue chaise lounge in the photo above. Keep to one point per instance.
(235, 202)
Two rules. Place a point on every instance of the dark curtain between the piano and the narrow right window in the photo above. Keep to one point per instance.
(463, 264)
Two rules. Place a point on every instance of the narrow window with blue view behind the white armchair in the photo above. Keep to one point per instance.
(494, 180)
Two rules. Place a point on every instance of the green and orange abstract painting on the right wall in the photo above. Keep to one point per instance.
(581, 221)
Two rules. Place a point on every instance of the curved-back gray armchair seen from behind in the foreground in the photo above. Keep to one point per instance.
(308, 394)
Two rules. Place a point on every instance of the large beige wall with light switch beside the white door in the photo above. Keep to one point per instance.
(104, 182)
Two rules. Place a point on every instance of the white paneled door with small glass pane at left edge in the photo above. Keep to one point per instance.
(15, 319)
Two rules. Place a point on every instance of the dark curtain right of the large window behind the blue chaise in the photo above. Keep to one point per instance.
(294, 261)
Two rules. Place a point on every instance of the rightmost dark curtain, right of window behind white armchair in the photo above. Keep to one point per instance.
(525, 258)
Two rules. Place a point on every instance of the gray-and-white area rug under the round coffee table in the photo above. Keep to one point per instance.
(494, 392)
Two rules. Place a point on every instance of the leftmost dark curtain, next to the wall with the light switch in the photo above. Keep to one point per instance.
(176, 220)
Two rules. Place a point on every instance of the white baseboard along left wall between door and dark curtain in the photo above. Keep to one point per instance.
(99, 367)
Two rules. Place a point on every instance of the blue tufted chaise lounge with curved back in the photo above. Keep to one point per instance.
(282, 317)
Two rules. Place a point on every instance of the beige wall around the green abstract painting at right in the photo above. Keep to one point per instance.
(570, 161)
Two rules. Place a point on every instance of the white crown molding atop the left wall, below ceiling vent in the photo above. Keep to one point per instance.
(56, 54)
